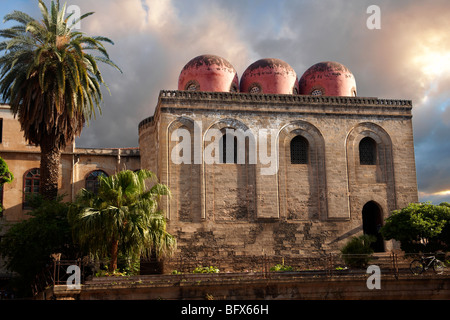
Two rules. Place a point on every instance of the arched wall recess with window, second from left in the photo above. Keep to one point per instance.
(229, 187)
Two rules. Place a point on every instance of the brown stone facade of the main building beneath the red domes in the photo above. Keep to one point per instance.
(238, 209)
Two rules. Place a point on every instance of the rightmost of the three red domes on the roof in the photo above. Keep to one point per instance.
(329, 79)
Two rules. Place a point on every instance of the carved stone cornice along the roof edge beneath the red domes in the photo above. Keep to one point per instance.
(200, 100)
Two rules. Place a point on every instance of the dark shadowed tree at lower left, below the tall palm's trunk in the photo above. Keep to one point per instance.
(27, 245)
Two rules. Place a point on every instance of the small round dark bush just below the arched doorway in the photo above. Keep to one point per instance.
(357, 252)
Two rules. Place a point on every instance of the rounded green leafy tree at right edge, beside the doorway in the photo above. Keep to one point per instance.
(420, 227)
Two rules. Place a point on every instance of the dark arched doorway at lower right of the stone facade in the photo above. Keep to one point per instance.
(372, 221)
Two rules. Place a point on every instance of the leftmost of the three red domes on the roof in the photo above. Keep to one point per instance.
(208, 73)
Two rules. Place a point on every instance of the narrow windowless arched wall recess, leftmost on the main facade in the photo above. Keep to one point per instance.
(184, 171)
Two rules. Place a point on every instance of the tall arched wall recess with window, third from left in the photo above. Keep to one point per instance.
(303, 193)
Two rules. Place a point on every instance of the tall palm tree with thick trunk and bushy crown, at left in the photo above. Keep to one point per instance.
(50, 78)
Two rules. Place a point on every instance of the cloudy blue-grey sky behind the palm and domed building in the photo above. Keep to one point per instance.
(408, 57)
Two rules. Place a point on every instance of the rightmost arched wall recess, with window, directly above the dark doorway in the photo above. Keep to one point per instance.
(377, 178)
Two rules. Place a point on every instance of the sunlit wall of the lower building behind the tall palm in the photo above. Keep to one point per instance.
(76, 165)
